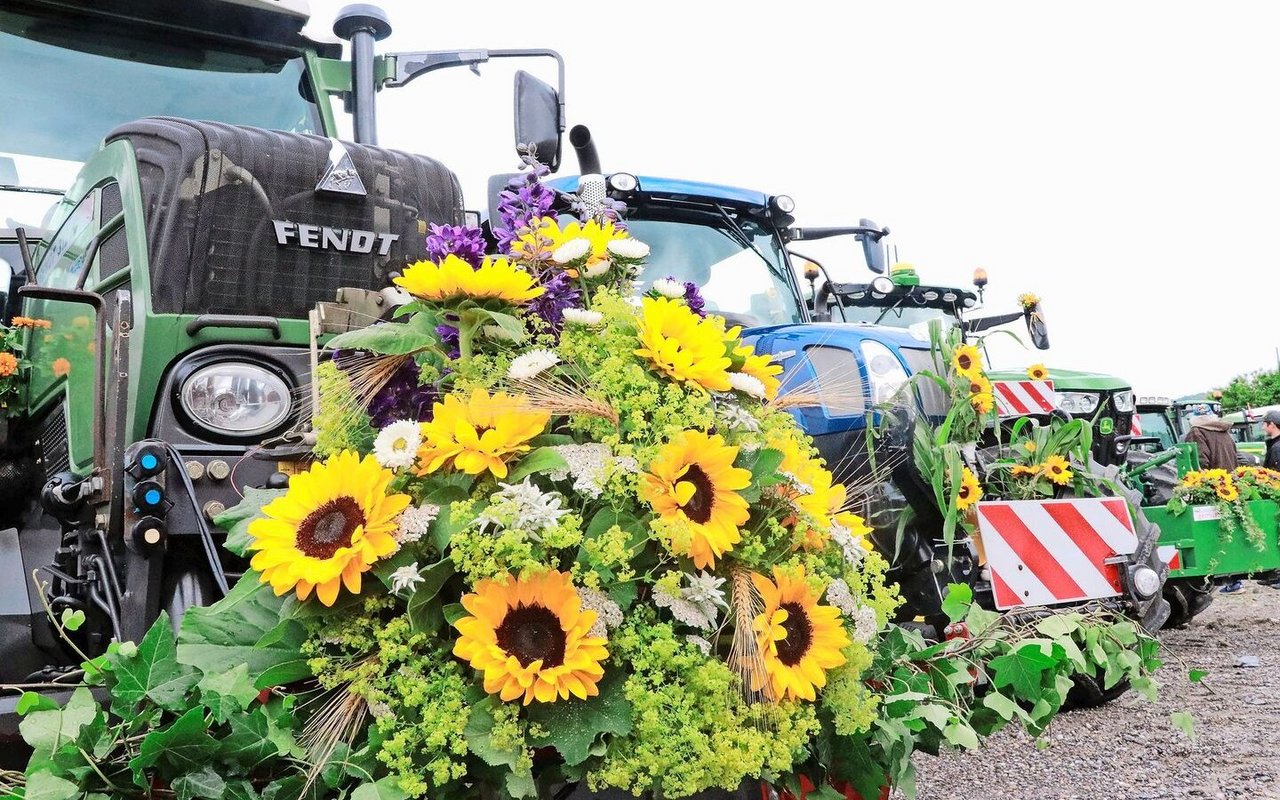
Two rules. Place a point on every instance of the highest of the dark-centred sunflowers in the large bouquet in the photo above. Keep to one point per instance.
(694, 481)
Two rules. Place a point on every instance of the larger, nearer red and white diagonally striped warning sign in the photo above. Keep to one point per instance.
(1049, 552)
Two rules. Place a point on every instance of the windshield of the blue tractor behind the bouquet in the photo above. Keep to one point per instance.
(742, 275)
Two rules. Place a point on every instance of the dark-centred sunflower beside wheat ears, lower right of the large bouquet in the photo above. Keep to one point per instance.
(801, 639)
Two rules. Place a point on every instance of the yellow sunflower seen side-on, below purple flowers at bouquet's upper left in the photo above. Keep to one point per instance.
(455, 280)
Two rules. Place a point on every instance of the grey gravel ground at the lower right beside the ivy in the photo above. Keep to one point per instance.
(1130, 751)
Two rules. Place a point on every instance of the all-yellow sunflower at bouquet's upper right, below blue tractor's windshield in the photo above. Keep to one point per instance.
(684, 346)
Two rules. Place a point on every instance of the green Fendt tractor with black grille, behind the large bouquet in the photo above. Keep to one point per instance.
(179, 276)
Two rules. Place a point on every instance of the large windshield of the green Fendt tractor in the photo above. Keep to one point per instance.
(66, 86)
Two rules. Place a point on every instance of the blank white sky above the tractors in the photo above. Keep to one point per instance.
(1121, 161)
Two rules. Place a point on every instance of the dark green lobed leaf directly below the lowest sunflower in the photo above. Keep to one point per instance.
(573, 726)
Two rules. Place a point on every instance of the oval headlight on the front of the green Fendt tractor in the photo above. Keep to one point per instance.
(236, 399)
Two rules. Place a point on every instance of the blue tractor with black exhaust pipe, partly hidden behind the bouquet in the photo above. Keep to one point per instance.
(734, 244)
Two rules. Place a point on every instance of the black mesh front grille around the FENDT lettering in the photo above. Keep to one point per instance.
(212, 191)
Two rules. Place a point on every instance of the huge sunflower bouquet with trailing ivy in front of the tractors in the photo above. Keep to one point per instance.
(555, 537)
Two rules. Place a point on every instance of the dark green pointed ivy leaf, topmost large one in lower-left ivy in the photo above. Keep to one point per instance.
(153, 673)
